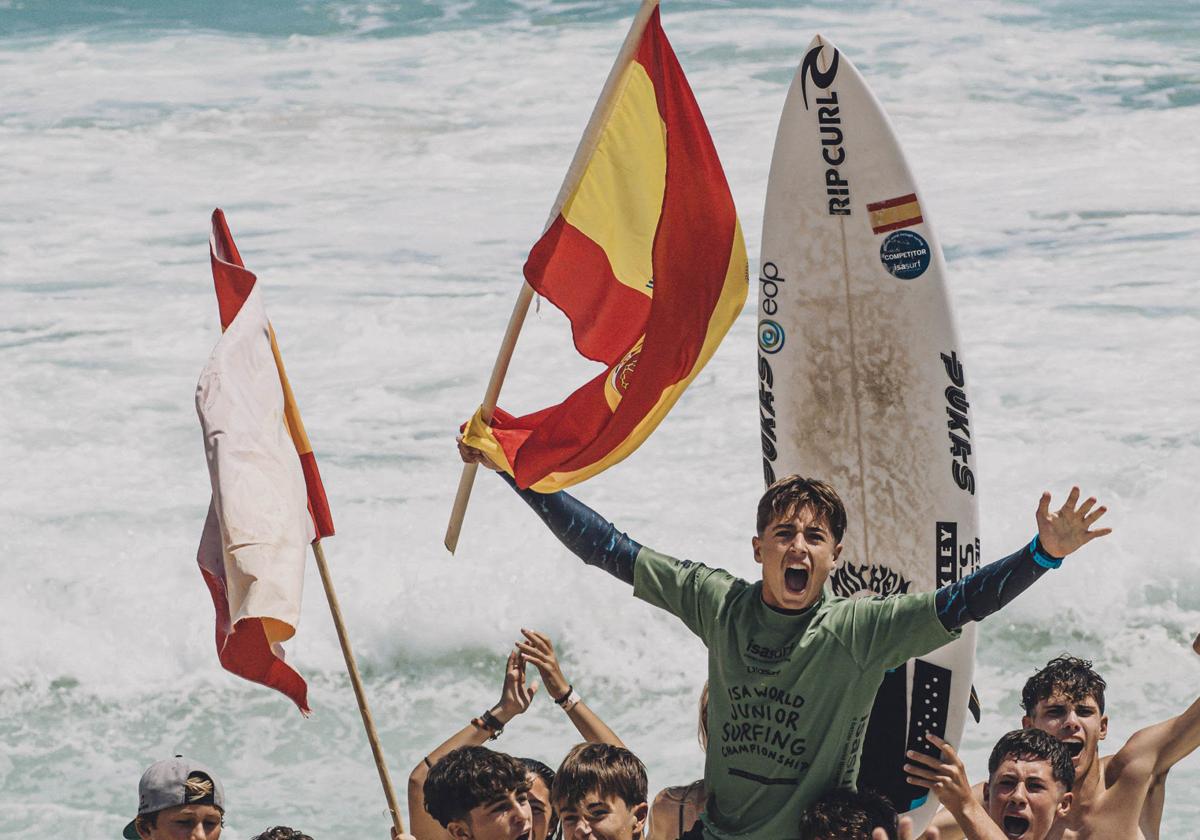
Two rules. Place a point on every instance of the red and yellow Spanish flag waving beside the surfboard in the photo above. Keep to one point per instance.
(647, 261)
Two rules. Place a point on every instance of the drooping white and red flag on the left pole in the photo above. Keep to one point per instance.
(268, 501)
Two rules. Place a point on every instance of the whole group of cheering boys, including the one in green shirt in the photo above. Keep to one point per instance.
(787, 635)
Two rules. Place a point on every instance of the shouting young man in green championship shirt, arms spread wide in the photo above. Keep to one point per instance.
(794, 671)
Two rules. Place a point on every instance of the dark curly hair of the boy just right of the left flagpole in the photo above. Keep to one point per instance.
(469, 778)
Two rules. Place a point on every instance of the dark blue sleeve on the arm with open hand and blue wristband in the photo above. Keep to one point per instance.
(986, 591)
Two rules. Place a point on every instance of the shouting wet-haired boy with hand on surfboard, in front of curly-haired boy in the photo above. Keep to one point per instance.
(1030, 777)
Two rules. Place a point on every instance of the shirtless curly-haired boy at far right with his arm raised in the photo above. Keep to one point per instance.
(1119, 796)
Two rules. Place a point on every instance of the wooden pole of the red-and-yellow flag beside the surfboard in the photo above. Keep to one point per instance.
(589, 143)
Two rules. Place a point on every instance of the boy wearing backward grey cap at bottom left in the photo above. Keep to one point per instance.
(178, 800)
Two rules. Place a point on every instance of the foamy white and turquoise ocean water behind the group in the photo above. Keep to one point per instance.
(385, 169)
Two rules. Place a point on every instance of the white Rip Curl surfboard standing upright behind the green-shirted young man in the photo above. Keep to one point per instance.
(862, 383)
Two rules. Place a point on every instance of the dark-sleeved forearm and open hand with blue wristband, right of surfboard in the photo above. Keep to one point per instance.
(992, 589)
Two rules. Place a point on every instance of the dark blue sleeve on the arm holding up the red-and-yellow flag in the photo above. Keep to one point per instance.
(590, 537)
